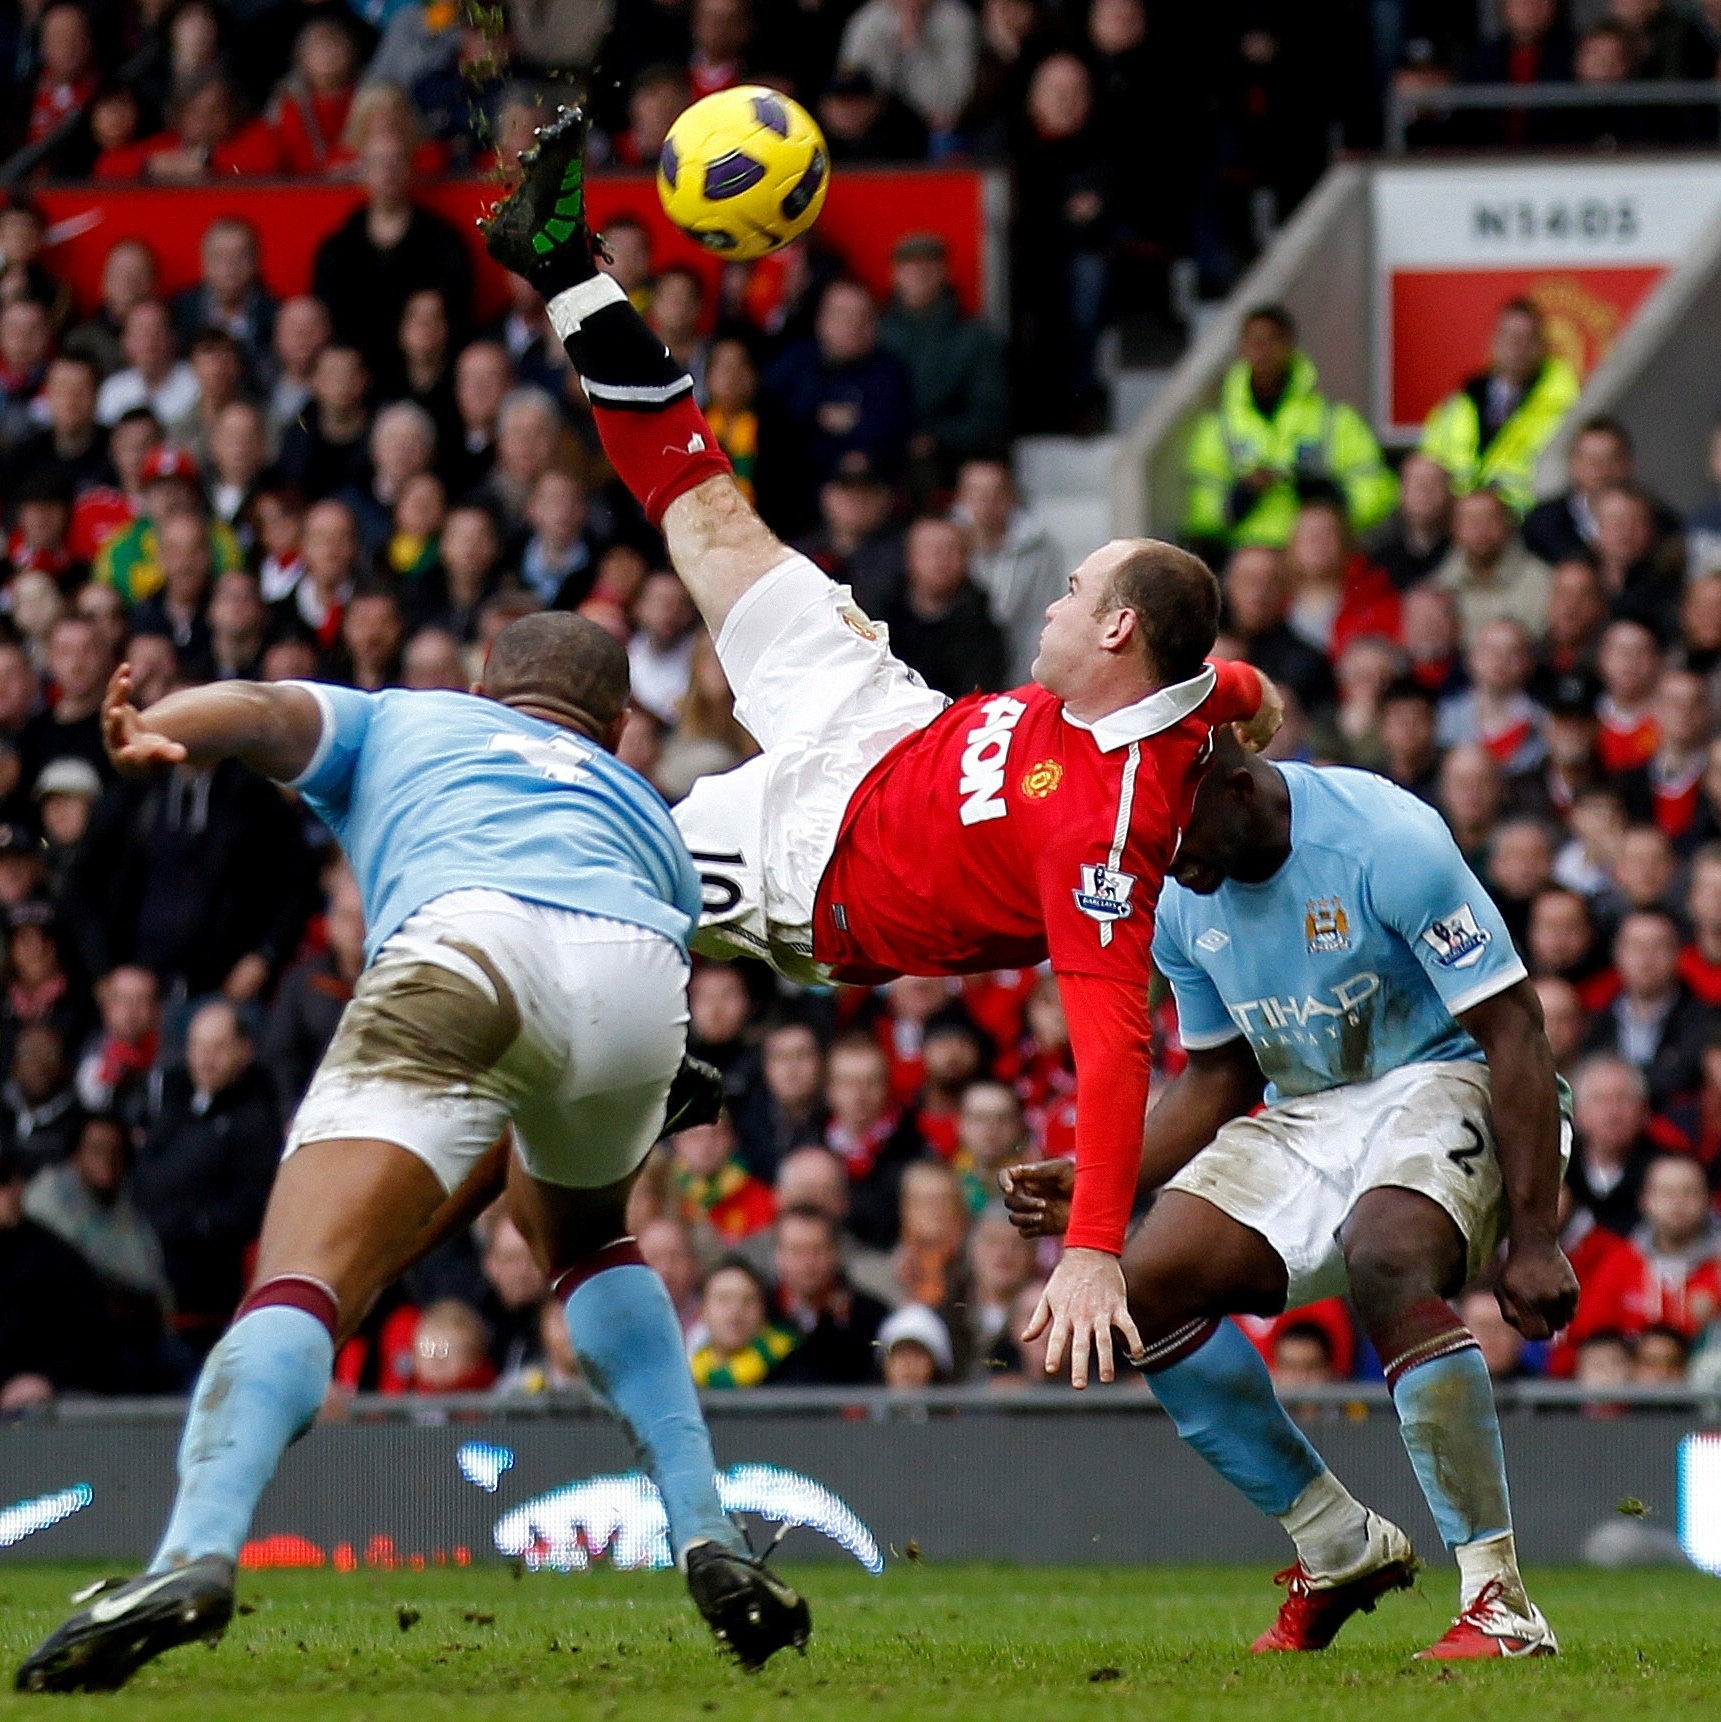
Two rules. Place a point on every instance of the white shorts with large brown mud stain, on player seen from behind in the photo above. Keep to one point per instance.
(487, 1010)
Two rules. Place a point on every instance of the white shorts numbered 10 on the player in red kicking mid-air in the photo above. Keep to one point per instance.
(817, 688)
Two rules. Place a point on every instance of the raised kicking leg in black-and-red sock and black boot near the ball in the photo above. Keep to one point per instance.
(642, 399)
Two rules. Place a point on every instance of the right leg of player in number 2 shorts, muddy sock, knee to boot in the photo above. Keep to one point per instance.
(1407, 1256)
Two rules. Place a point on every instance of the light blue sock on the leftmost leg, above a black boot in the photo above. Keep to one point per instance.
(259, 1391)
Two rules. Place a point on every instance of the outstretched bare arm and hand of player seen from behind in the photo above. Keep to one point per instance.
(273, 728)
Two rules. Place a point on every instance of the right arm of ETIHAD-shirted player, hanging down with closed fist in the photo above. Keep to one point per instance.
(1538, 1291)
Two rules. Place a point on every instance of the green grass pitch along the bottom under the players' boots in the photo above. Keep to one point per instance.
(924, 1642)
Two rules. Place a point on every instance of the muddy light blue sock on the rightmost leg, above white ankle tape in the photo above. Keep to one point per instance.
(1453, 1435)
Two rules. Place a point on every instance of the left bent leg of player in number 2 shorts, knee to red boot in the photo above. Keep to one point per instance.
(1186, 1267)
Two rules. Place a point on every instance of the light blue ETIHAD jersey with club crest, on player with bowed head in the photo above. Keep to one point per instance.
(1355, 958)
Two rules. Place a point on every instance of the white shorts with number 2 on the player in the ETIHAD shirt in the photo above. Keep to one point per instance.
(1296, 1172)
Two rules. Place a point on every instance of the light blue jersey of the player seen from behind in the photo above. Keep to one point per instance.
(433, 793)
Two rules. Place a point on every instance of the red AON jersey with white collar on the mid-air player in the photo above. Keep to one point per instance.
(1007, 833)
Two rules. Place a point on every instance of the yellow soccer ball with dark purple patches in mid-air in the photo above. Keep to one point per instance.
(745, 171)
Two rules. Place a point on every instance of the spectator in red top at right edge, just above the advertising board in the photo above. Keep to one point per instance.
(1670, 1275)
